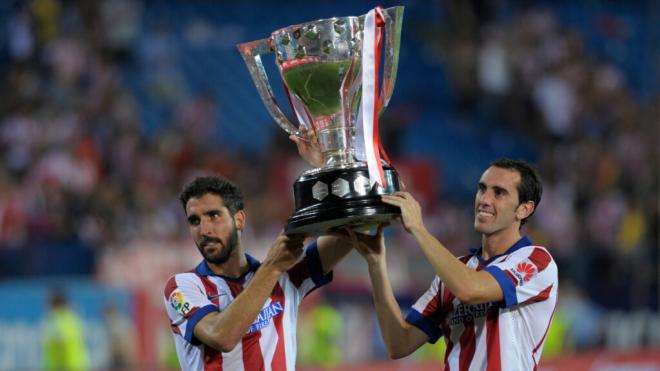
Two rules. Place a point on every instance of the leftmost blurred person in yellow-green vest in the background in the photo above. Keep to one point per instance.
(63, 338)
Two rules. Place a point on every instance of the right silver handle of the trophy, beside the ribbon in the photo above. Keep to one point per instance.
(393, 22)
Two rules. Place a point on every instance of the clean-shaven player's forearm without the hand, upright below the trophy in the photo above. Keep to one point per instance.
(394, 328)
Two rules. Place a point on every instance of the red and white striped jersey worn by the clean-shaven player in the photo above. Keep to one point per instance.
(506, 335)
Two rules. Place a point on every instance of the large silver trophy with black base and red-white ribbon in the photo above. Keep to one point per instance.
(330, 69)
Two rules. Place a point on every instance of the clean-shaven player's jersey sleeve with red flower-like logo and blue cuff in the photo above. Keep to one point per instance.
(526, 275)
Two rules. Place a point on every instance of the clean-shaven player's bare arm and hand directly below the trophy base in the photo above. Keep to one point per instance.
(400, 337)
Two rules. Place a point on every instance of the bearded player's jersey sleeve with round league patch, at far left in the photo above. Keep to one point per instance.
(186, 304)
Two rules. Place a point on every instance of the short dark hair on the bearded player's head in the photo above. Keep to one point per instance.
(217, 185)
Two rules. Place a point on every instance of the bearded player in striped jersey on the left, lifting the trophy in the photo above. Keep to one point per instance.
(232, 310)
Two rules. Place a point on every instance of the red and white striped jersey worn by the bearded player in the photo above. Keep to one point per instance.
(269, 343)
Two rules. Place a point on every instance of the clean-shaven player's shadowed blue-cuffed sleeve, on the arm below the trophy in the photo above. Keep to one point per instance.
(425, 313)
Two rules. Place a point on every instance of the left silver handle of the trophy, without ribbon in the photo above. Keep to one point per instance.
(251, 53)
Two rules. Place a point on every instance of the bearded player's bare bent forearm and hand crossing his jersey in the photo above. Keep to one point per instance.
(223, 330)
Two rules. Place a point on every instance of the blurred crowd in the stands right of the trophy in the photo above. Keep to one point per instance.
(597, 141)
